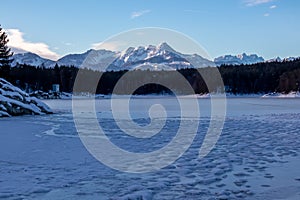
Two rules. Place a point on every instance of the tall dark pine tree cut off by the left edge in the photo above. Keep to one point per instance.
(5, 55)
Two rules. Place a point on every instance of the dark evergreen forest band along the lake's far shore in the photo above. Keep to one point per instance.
(282, 77)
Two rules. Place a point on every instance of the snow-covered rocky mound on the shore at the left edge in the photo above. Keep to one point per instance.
(14, 101)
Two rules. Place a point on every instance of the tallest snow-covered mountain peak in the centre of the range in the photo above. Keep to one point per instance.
(161, 57)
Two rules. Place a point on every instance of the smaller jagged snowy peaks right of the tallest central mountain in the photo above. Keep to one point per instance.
(238, 59)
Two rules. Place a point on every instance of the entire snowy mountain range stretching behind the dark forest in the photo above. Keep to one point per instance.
(155, 58)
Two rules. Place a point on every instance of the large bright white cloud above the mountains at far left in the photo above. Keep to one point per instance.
(16, 41)
